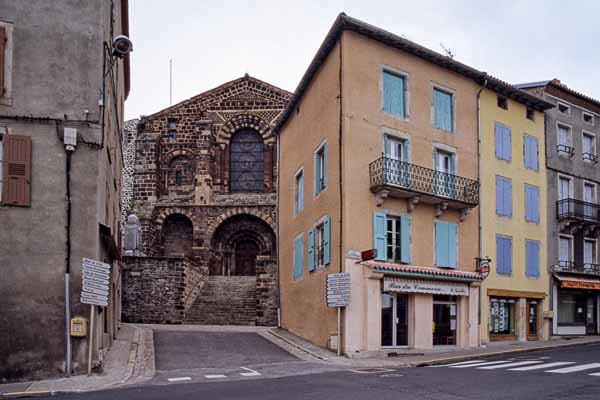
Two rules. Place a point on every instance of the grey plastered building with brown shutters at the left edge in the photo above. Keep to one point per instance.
(61, 81)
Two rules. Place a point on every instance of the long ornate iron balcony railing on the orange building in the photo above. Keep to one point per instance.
(388, 173)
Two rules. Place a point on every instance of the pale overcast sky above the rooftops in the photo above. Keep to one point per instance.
(213, 42)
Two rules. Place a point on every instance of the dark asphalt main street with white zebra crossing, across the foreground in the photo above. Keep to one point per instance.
(563, 374)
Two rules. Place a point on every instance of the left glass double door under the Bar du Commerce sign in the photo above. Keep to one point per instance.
(394, 320)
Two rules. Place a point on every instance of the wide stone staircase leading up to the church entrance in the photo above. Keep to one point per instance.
(225, 300)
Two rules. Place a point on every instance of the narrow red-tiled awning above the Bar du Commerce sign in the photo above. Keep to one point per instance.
(424, 272)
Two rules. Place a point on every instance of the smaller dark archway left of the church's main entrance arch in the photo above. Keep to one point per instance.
(177, 236)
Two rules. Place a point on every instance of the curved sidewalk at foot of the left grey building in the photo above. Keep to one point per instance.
(130, 360)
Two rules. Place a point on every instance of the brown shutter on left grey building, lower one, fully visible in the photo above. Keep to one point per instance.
(16, 182)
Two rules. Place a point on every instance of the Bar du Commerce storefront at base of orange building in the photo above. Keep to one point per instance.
(406, 307)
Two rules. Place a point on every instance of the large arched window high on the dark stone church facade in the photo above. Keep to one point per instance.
(246, 169)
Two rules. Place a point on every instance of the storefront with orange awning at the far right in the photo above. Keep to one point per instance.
(576, 305)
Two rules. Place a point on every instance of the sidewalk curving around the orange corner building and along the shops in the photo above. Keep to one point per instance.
(412, 358)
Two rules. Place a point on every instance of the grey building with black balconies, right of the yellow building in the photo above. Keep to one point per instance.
(573, 173)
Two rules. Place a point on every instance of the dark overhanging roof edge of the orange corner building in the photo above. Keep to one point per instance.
(346, 23)
